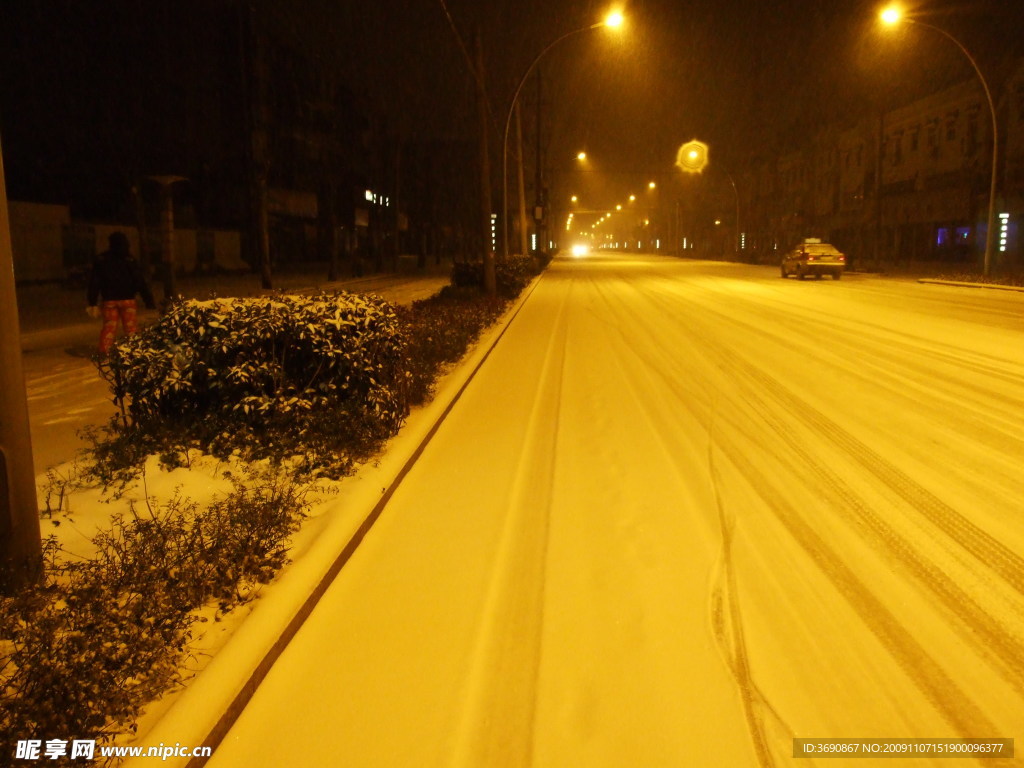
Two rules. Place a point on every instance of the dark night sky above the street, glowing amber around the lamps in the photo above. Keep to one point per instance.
(743, 75)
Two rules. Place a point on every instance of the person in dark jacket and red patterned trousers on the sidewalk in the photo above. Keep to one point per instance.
(116, 279)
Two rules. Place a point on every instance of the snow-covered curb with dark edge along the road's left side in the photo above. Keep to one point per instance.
(205, 712)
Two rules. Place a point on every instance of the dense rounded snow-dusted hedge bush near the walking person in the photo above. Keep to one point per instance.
(322, 377)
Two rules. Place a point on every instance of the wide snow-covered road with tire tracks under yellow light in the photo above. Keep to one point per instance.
(685, 514)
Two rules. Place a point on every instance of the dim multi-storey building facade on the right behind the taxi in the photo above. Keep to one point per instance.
(909, 186)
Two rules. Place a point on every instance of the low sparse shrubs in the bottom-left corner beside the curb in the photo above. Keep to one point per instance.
(83, 653)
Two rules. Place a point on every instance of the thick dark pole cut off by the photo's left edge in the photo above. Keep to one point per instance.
(21, 544)
